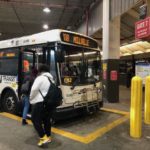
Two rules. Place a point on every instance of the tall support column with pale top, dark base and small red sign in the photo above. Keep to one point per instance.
(111, 54)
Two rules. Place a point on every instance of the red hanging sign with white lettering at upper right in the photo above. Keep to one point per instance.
(142, 29)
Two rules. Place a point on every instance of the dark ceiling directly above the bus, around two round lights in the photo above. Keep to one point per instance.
(24, 17)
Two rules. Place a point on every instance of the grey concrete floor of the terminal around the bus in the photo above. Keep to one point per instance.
(14, 136)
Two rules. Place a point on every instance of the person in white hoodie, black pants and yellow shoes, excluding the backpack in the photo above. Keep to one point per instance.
(41, 115)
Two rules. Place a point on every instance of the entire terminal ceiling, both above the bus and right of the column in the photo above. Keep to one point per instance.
(24, 17)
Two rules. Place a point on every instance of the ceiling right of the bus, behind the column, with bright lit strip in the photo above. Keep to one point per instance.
(129, 46)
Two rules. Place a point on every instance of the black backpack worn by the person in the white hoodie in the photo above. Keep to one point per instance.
(53, 96)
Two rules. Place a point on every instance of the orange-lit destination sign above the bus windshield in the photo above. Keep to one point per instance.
(78, 40)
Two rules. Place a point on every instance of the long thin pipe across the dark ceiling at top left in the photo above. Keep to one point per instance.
(41, 4)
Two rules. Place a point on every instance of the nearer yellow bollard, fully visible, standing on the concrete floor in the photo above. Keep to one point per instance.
(136, 107)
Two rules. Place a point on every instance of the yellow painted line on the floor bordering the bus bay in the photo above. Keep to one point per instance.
(83, 139)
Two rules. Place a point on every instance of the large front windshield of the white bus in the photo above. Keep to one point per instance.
(81, 66)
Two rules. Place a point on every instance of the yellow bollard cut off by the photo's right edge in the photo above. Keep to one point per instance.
(147, 101)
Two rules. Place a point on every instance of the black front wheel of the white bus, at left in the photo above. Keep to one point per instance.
(9, 102)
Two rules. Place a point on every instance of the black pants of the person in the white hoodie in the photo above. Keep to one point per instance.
(41, 118)
